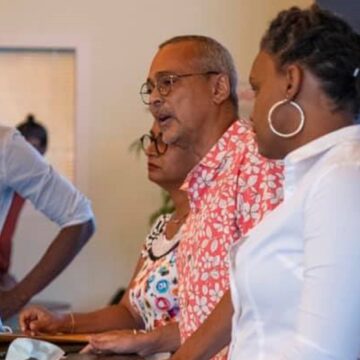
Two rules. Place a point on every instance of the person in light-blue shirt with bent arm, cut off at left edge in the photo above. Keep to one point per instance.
(25, 172)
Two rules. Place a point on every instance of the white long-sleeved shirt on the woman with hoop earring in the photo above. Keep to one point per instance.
(295, 280)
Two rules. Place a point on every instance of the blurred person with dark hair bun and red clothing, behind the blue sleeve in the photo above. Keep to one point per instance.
(36, 135)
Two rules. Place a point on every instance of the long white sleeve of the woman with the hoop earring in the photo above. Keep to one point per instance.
(328, 325)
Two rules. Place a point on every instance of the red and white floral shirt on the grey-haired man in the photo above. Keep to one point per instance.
(230, 190)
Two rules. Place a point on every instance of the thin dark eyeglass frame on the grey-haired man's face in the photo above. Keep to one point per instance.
(166, 90)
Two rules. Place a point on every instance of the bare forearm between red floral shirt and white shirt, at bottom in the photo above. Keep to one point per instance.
(212, 336)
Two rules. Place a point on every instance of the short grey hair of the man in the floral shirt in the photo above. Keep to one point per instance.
(212, 56)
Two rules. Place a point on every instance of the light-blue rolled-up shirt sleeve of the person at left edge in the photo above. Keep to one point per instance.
(27, 173)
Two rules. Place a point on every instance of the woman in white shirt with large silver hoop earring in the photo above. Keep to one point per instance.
(295, 280)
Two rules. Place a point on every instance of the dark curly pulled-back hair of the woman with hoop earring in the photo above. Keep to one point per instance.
(324, 44)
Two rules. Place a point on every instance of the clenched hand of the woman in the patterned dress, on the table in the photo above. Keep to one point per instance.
(36, 319)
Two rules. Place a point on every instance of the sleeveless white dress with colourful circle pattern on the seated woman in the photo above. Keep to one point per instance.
(154, 293)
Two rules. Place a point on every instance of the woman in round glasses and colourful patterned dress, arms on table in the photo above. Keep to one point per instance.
(150, 302)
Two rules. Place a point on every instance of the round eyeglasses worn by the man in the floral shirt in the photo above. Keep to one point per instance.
(164, 84)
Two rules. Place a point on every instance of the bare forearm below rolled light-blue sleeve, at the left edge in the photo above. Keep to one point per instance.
(60, 253)
